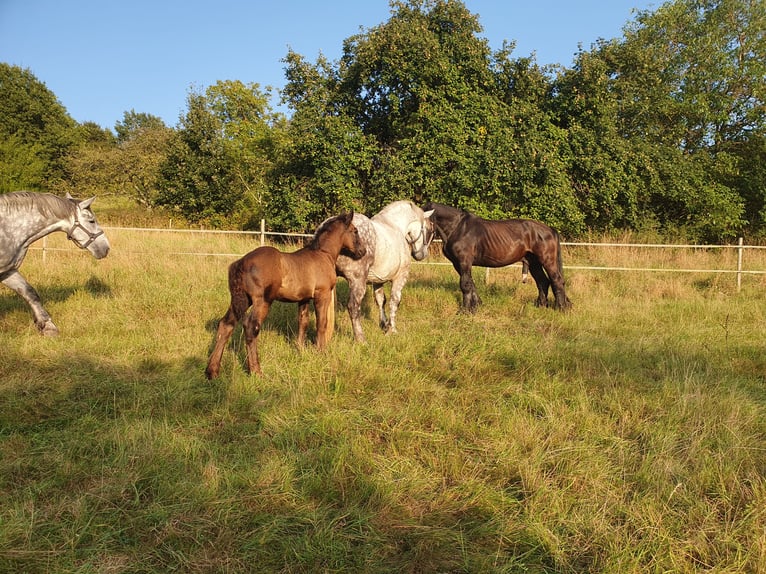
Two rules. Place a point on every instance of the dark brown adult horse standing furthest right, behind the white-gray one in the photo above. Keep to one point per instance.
(469, 240)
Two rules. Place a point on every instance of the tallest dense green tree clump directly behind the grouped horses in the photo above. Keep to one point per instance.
(432, 114)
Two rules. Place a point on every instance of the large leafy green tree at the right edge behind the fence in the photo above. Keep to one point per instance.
(659, 122)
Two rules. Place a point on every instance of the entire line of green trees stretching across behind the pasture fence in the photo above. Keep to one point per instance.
(661, 130)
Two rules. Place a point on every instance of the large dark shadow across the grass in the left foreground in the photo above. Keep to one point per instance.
(159, 465)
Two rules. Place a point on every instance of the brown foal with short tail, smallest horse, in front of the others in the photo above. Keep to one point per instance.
(266, 275)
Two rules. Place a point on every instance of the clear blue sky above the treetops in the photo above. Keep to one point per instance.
(102, 58)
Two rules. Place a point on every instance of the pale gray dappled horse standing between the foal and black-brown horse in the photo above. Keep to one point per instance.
(399, 231)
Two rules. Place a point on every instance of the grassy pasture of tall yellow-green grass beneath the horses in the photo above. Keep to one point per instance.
(628, 435)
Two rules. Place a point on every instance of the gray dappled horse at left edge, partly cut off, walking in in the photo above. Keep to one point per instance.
(26, 217)
